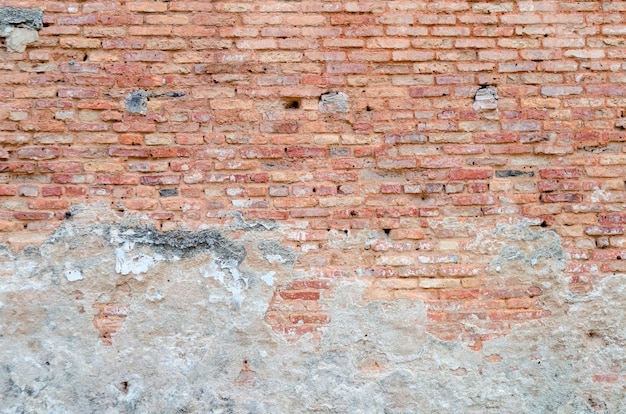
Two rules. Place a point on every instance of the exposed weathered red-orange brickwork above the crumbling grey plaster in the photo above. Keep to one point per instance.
(383, 137)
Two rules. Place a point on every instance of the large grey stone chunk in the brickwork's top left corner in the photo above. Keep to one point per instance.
(19, 27)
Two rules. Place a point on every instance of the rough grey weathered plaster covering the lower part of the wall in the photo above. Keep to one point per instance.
(193, 337)
